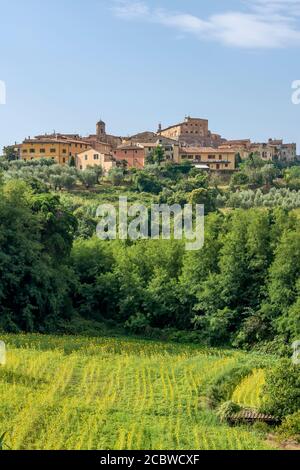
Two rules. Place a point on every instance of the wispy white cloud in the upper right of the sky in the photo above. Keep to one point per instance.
(266, 24)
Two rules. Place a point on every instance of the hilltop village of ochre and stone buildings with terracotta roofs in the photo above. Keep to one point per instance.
(190, 140)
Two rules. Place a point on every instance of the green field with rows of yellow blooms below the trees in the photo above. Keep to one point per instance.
(106, 394)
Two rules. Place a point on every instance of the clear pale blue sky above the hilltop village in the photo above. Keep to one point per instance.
(135, 63)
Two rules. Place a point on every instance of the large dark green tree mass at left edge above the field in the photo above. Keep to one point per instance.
(36, 238)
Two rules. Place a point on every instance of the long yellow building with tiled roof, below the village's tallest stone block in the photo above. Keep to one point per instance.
(214, 159)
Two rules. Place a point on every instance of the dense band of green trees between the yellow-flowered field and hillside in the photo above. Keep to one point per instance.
(241, 289)
